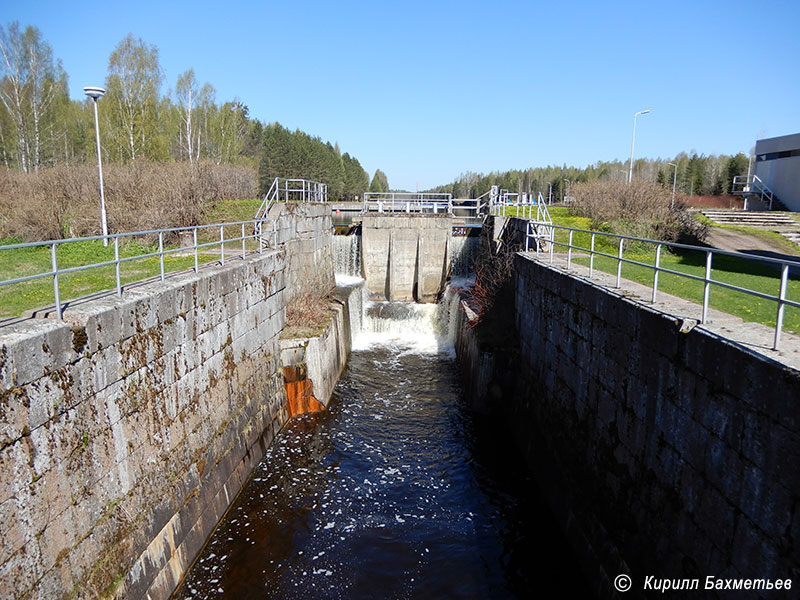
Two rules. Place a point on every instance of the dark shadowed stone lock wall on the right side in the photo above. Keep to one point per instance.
(668, 451)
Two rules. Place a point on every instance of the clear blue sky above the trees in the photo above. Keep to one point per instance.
(427, 90)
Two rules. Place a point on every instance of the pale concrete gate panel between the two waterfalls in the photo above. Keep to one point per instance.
(406, 257)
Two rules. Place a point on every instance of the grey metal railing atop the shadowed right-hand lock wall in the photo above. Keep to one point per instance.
(707, 280)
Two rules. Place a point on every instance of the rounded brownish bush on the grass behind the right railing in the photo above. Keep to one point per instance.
(640, 209)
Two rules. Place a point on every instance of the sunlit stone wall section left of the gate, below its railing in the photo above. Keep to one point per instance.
(305, 231)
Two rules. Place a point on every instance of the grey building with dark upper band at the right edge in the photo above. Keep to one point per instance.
(778, 166)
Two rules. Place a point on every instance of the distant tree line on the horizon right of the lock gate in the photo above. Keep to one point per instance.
(698, 175)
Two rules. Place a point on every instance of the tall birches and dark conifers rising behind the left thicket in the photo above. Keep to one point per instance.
(41, 127)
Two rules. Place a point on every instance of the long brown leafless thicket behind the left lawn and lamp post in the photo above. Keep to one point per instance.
(65, 201)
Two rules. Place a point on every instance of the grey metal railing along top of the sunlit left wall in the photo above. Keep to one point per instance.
(56, 271)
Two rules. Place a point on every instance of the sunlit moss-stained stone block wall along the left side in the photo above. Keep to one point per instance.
(126, 431)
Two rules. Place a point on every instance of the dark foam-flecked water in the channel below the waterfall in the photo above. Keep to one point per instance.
(395, 492)
